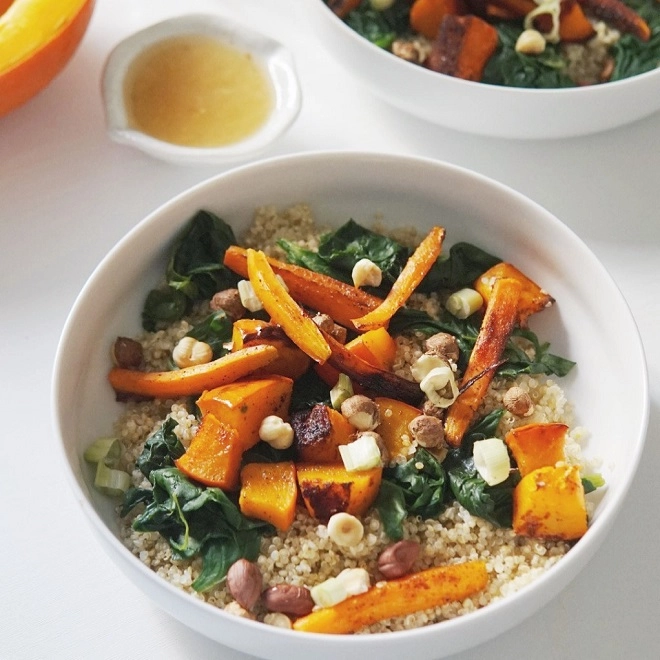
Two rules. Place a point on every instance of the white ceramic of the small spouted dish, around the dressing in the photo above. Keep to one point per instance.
(275, 60)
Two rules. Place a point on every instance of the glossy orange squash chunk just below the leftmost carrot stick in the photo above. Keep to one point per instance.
(244, 404)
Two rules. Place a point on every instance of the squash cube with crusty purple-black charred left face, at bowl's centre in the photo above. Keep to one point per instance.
(319, 432)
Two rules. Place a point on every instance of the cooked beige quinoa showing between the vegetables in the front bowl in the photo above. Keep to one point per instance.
(304, 555)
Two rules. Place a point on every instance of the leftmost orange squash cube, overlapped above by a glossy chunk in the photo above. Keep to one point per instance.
(214, 455)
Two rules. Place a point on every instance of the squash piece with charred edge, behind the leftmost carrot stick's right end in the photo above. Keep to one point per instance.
(290, 360)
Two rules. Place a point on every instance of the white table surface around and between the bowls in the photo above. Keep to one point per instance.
(67, 194)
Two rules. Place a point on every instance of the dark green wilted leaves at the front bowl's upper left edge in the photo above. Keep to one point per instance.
(194, 272)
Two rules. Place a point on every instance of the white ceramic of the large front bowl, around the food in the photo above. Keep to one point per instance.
(590, 323)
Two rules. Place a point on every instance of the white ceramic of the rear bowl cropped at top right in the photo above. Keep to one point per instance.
(478, 108)
